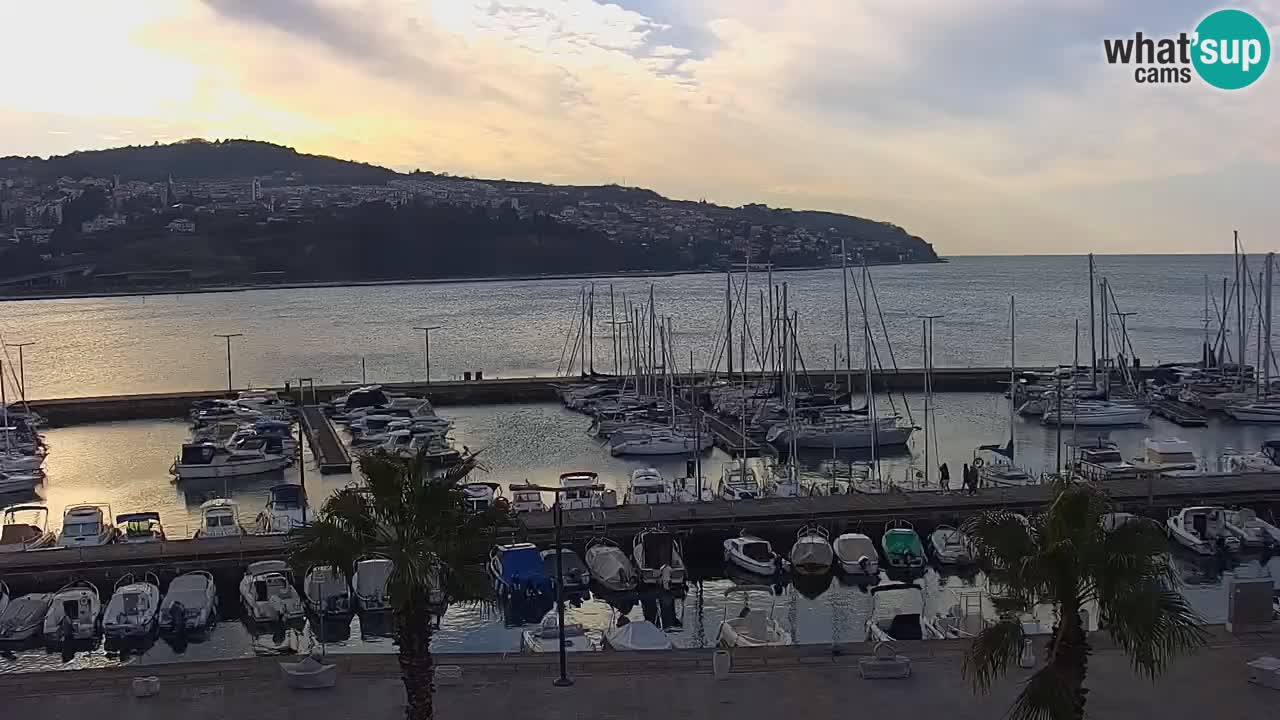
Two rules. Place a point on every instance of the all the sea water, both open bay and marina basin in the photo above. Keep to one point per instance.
(156, 344)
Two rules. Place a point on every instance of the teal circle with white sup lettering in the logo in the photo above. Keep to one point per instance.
(1232, 49)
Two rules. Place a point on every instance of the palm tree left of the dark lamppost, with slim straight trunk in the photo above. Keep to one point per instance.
(420, 525)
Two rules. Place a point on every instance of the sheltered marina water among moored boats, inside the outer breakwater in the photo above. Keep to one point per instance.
(126, 464)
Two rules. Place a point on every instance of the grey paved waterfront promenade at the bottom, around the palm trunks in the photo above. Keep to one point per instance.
(793, 685)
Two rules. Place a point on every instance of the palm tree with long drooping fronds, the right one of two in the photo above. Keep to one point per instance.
(1068, 560)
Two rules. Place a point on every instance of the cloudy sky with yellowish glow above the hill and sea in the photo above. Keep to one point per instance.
(984, 126)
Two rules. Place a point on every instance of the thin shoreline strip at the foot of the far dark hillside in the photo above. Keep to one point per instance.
(209, 290)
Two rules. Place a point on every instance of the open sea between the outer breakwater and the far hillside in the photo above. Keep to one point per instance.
(158, 344)
